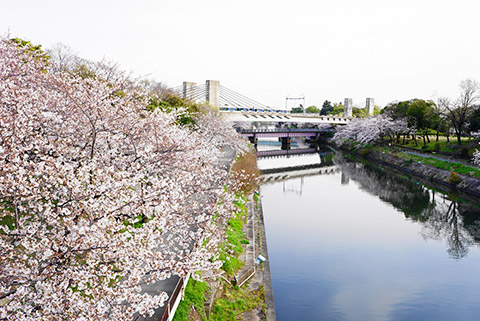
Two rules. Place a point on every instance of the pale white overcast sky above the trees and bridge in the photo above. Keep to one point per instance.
(270, 49)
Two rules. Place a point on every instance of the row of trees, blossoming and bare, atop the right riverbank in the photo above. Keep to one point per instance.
(420, 118)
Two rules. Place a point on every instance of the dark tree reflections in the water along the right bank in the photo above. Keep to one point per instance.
(442, 216)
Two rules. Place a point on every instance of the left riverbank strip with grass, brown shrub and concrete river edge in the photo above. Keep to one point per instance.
(242, 289)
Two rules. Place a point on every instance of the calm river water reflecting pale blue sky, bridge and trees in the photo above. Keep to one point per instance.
(361, 244)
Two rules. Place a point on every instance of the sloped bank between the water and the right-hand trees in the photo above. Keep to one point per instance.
(466, 184)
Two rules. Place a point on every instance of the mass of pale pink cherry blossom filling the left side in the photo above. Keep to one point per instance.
(98, 195)
